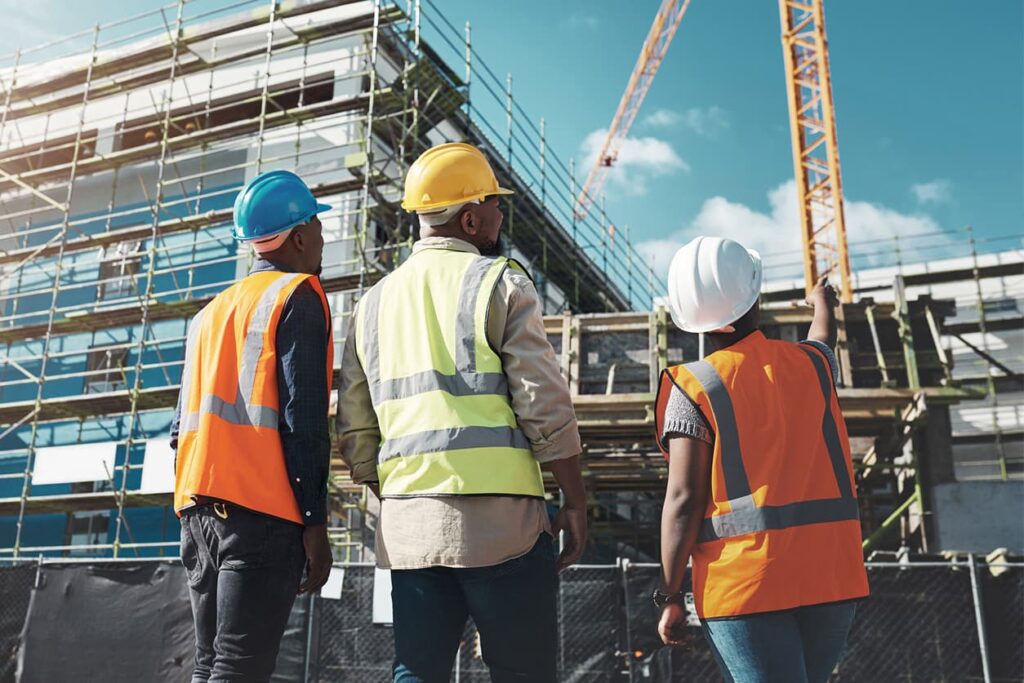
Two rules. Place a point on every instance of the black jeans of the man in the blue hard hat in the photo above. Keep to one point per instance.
(243, 574)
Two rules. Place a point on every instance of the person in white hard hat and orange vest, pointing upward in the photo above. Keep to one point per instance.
(761, 494)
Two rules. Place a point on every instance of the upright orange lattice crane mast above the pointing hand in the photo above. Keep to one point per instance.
(816, 152)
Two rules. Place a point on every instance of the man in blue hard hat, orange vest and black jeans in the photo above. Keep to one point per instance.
(252, 439)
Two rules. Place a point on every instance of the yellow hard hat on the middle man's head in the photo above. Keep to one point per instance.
(448, 175)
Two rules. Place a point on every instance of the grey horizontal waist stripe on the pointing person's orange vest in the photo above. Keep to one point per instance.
(774, 518)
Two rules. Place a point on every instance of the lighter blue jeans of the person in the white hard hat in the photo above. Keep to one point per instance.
(800, 646)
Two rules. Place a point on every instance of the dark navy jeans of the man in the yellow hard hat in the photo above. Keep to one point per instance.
(513, 605)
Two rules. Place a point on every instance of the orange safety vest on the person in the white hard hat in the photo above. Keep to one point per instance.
(782, 529)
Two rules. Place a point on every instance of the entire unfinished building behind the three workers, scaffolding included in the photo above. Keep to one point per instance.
(119, 166)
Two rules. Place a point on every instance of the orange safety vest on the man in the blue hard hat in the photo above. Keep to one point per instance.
(229, 446)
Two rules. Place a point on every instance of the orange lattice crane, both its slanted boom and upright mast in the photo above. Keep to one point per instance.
(813, 126)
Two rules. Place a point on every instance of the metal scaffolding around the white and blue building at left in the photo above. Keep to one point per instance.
(118, 169)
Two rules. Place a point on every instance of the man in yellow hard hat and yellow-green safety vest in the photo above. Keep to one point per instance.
(451, 399)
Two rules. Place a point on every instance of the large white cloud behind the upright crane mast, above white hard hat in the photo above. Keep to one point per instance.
(777, 234)
